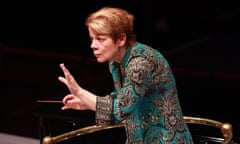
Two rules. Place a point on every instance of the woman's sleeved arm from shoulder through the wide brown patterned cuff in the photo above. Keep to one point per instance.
(122, 103)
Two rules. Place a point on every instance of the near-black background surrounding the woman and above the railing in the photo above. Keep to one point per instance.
(200, 40)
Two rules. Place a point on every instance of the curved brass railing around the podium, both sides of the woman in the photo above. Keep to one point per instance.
(226, 129)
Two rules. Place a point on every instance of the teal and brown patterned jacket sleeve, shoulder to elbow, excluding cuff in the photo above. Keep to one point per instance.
(138, 84)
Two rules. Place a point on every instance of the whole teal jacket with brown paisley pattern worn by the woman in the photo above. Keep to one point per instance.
(145, 98)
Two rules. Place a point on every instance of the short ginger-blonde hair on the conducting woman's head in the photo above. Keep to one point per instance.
(112, 21)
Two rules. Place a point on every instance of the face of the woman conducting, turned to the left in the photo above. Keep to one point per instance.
(104, 47)
